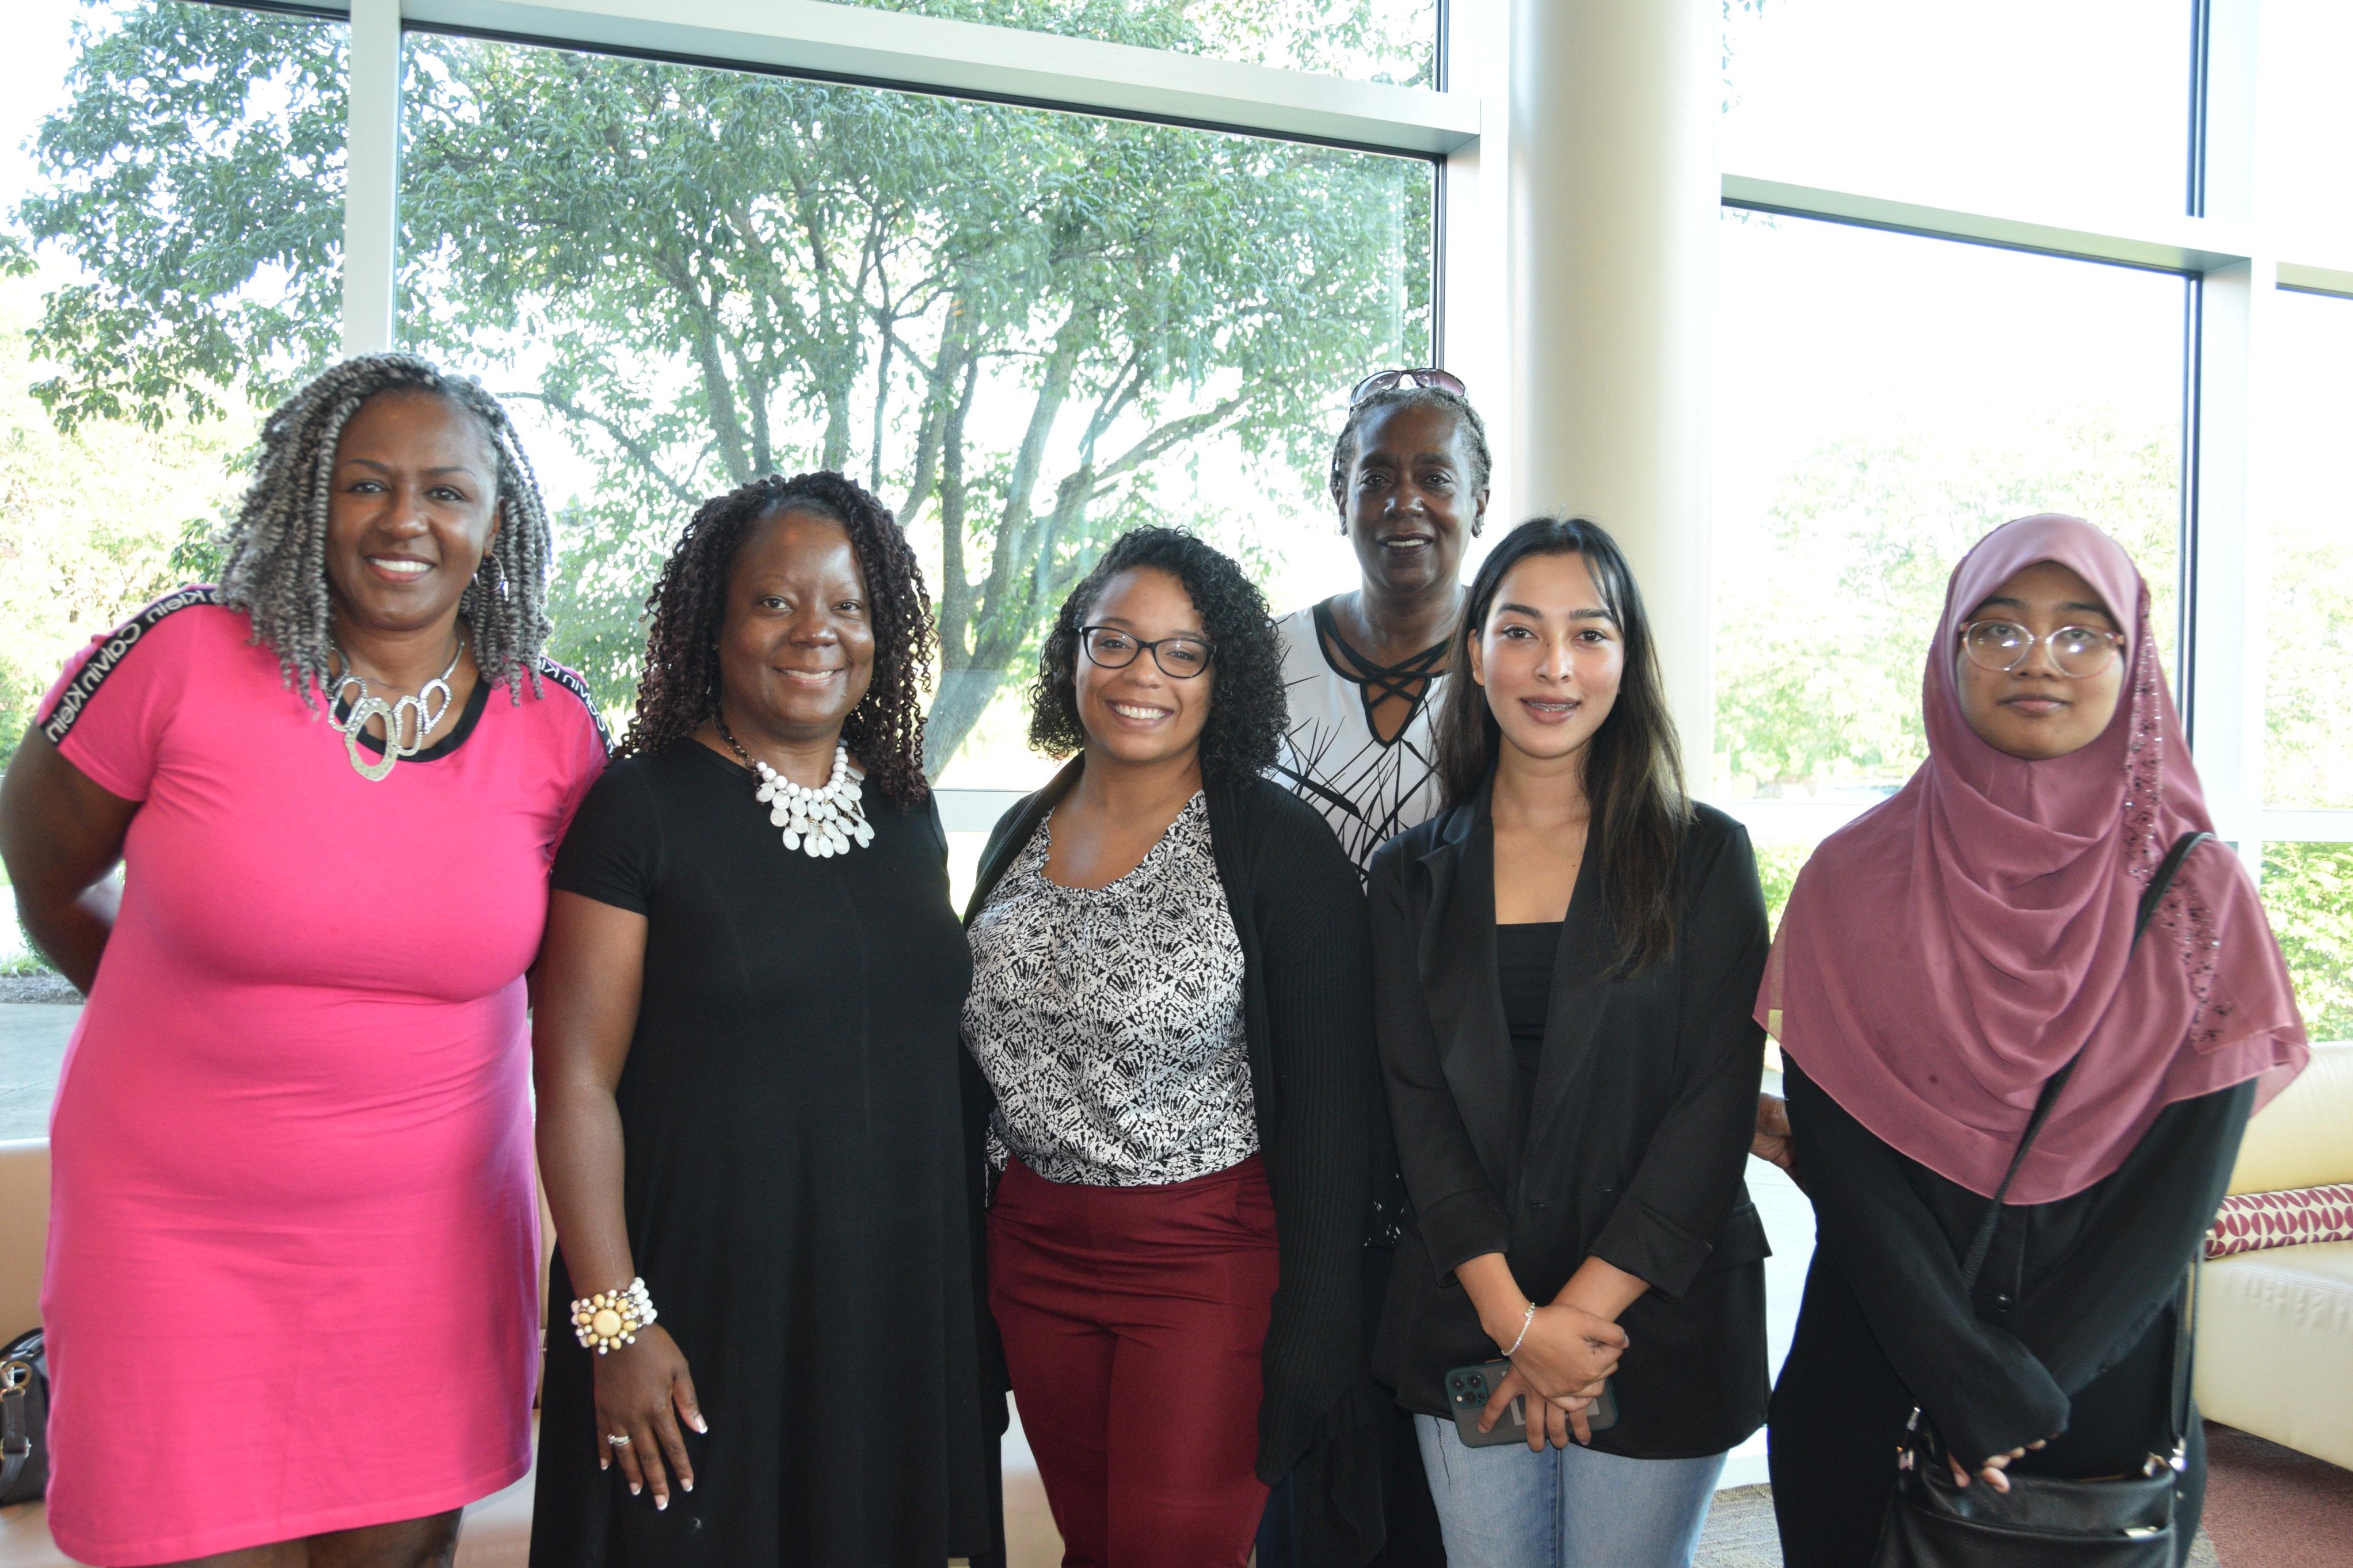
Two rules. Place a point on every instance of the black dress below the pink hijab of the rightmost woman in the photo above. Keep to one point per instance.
(2069, 1329)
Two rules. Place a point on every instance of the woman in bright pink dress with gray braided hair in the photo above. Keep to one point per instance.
(293, 1233)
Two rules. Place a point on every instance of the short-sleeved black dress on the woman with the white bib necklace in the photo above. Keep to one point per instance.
(796, 1191)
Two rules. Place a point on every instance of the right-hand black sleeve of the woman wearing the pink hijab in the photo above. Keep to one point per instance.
(2131, 1249)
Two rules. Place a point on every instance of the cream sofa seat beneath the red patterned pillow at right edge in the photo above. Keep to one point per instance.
(2277, 1346)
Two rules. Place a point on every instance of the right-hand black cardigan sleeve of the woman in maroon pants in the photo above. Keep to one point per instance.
(1314, 949)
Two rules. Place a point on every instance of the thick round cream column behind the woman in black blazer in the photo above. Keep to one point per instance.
(1613, 281)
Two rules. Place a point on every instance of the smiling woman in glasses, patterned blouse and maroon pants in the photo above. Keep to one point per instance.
(1173, 1026)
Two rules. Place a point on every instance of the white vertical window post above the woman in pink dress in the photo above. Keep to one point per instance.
(373, 177)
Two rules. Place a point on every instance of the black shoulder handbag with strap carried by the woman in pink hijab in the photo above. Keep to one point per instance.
(2046, 1522)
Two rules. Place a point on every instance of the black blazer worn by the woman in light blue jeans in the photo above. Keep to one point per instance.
(1634, 1144)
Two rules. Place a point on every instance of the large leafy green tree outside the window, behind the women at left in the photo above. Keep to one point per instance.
(1011, 323)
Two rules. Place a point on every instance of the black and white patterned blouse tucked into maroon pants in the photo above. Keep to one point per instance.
(1109, 1019)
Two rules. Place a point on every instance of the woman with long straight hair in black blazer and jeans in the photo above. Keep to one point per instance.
(1564, 967)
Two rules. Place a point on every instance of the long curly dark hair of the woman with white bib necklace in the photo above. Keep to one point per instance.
(681, 688)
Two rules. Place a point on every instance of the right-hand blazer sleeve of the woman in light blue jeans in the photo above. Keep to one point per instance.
(1681, 1193)
